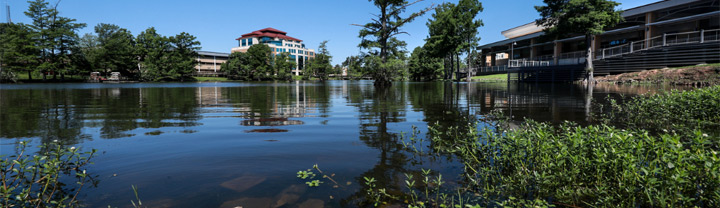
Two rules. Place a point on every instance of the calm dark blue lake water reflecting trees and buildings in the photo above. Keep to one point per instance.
(241, 144)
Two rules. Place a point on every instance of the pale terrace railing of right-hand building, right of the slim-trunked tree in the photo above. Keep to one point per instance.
(701, 36)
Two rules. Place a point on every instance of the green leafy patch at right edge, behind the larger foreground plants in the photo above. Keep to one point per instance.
(669, 111)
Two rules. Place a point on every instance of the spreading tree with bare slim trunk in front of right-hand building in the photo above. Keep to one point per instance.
(587, 17)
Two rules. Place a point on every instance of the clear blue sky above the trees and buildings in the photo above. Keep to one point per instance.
(217, 24)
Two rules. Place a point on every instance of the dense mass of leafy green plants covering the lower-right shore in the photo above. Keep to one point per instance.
(541, 164)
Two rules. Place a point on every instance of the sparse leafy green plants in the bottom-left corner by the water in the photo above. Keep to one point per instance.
(41, 180)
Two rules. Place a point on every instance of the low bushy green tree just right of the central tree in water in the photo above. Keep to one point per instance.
(424, 67)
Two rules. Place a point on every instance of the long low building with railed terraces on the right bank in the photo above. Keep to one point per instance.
(682, 32)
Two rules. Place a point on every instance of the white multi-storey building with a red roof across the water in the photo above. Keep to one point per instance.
(279, 42)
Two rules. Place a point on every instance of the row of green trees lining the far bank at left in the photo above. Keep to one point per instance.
(51, 46)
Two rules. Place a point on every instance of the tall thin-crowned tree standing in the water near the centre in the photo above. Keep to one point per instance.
(377, 35)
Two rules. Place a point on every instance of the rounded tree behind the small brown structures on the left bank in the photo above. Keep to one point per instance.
(115, 51)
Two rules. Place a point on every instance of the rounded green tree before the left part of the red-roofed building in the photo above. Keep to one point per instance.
(259, 61)
